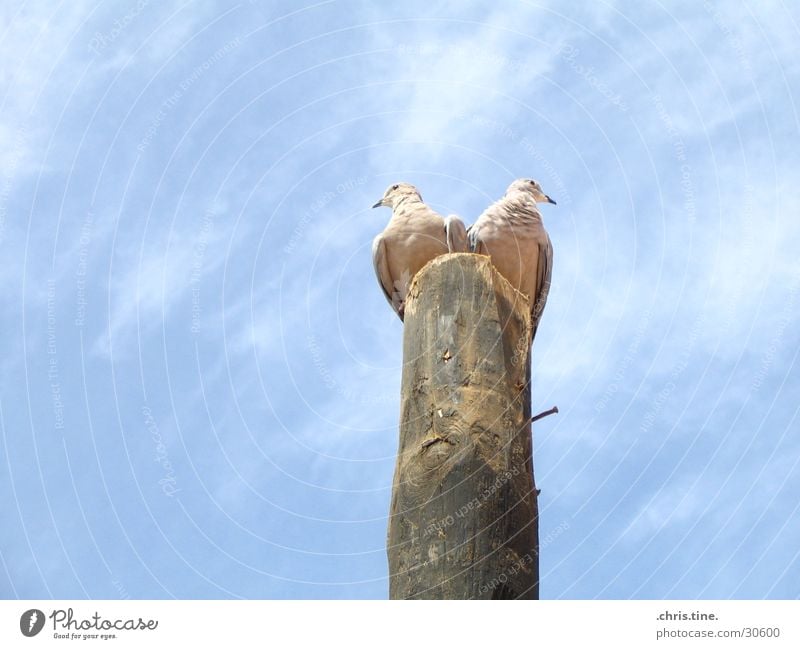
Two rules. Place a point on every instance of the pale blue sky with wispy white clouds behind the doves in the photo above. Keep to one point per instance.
(200, 376)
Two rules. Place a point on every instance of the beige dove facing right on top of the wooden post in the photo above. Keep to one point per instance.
(511, 232)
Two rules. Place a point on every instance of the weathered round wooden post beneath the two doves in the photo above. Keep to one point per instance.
(464, 513)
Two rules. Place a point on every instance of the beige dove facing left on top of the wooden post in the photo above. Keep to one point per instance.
(415, 235)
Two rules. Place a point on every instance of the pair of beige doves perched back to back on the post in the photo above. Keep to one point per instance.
(510, 232)
